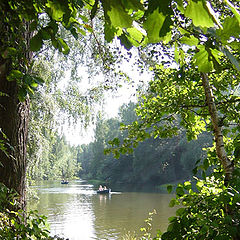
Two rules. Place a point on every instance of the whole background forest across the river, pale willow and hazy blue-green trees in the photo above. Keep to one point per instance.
(162, 160)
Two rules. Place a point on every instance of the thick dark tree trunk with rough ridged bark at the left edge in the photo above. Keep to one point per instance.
(13, 113)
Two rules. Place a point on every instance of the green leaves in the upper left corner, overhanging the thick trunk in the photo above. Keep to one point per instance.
(27, 27)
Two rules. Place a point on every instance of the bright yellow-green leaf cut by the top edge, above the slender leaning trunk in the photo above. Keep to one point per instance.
(198, 12)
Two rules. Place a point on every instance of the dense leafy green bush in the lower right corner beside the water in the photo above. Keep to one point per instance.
(202, 214)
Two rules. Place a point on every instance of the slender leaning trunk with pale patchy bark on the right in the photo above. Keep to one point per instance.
(228, 166)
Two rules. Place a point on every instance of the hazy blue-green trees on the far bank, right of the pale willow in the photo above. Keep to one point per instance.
(153, 162)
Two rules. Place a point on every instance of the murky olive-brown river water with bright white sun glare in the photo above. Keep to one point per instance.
(77, 212)
